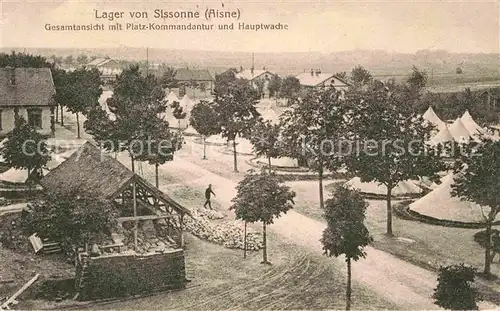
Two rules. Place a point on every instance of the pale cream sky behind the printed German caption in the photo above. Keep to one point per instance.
(314, 26)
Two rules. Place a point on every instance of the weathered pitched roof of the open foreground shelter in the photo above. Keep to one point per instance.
(92, 172)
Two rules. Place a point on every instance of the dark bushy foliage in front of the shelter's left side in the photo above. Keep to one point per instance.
(71, 219)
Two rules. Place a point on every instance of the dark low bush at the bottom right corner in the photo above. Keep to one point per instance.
(454, 290)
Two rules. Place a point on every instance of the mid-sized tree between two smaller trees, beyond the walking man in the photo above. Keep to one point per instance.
(237, 112)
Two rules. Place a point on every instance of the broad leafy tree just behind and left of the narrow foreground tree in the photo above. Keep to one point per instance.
(314, 128)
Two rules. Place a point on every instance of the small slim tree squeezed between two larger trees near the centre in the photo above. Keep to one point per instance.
(265, 139)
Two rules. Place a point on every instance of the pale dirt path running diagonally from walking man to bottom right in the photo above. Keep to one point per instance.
(404, 284)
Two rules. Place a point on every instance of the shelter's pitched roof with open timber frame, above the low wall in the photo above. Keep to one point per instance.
(92, 172)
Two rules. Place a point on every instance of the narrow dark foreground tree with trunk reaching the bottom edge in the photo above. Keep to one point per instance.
(346, 233)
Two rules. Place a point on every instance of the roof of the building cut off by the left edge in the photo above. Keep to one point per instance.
(26, 87)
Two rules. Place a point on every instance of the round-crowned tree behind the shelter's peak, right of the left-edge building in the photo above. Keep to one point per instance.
(79, 91)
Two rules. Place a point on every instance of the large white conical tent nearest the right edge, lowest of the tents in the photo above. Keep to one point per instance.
(440, 204)
